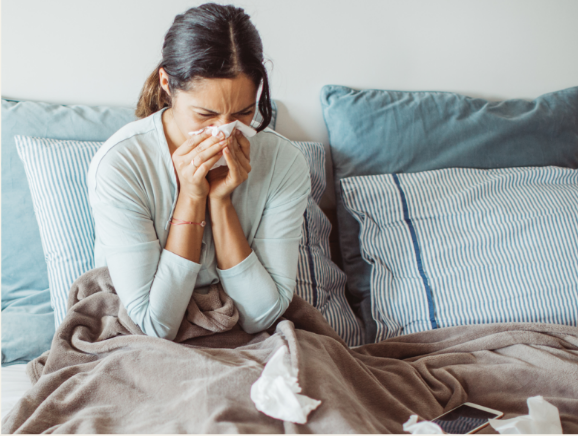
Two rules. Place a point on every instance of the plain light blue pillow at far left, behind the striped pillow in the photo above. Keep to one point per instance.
(27, 321)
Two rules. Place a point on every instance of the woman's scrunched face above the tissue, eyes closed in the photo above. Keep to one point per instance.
(212, 102)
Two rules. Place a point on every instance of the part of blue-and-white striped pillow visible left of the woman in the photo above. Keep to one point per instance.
(56, 172)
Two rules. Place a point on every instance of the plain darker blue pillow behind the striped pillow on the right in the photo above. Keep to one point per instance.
(377, 132)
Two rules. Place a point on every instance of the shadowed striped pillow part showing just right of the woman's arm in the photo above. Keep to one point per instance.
(319, 281)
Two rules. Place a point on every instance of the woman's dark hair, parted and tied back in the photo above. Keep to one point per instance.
(210, 41)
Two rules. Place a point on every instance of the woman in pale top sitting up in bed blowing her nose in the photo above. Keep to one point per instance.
(152, 188)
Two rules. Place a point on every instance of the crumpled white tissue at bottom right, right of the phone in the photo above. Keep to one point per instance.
(543, 418)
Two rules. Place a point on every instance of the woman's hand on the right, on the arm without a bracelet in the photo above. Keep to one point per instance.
(224, 180)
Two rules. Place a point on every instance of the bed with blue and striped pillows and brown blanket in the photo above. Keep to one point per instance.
(456, 278)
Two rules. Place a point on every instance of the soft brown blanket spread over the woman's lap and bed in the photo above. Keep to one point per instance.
(102, 375)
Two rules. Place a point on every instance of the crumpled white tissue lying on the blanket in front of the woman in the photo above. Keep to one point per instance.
(276, 392)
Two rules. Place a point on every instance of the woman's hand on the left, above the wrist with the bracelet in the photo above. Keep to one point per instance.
(194, 159)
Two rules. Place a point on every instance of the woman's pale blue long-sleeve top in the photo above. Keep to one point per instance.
(133, 192)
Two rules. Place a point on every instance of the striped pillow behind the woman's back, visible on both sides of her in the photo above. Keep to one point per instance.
(56, 172)
